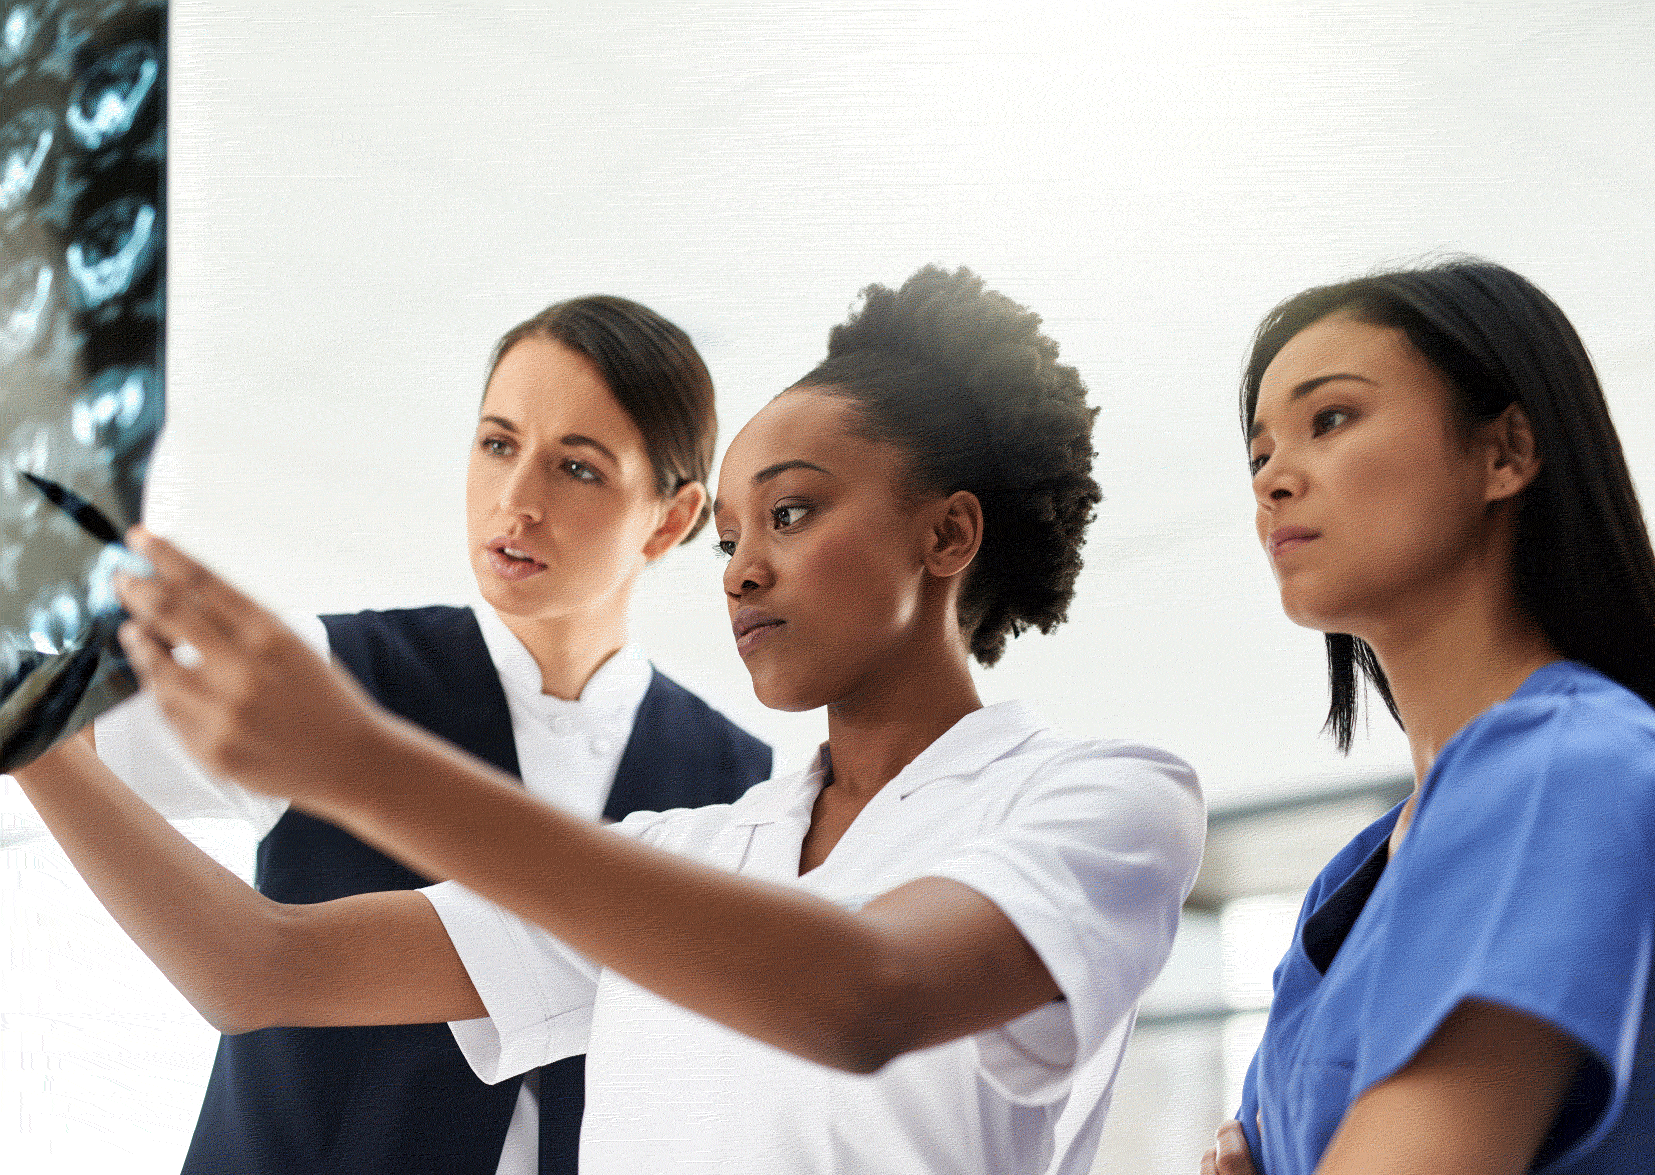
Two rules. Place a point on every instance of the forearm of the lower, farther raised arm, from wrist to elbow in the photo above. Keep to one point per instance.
(214, 938)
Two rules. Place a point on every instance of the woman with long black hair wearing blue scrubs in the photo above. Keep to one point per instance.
(1441, 491)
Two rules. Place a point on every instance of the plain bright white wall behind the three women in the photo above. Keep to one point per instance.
(367, 194)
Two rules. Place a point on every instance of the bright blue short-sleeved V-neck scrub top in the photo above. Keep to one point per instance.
(1528, 880)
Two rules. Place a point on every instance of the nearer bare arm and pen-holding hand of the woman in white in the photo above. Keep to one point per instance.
(926, 964)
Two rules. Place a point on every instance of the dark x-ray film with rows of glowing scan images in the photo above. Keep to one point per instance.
(84, 150)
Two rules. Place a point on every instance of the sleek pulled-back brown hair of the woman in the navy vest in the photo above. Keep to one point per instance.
(655, 373)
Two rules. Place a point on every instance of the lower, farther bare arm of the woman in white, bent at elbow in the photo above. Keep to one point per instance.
(242, 961)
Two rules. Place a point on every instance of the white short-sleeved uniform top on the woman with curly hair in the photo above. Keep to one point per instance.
(1088, 846)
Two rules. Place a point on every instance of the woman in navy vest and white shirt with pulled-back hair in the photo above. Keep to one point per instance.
(590, 461)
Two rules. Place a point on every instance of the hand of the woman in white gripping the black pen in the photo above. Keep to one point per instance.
(244, 693)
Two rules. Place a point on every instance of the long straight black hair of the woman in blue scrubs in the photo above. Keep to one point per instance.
(1581, 560)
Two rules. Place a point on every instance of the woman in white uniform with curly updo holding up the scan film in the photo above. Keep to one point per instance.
(896, 961)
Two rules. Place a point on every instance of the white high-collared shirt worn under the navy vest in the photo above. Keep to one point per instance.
(568, 754)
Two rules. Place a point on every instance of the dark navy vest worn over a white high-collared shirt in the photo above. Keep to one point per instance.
(401, 1100)
